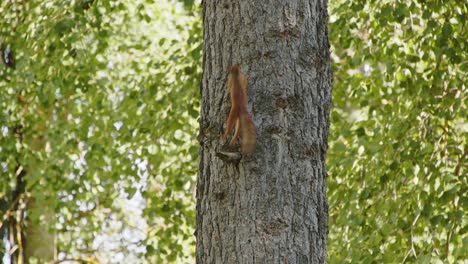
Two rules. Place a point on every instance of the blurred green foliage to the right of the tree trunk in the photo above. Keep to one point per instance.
(397, 161)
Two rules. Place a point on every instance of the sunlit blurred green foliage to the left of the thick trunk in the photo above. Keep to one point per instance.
(98, 102)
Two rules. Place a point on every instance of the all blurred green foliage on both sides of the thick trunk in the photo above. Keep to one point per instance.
(99, 100)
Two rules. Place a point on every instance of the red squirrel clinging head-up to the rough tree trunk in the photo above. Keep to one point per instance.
(239, 115)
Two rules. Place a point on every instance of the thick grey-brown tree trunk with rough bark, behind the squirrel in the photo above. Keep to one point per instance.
(269, 207)
